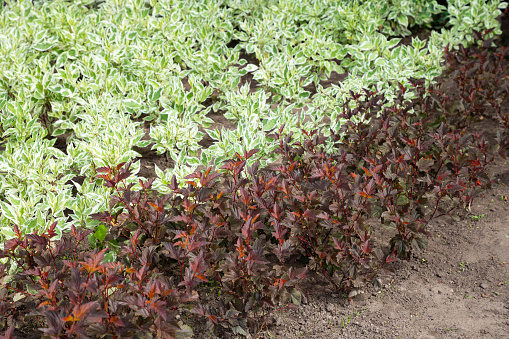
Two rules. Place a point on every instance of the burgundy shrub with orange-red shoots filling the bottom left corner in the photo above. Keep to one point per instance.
(71, 292)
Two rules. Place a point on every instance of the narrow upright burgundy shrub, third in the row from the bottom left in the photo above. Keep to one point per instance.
(324, 210)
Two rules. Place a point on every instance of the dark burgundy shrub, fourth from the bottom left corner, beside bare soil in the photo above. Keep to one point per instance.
(423, 166)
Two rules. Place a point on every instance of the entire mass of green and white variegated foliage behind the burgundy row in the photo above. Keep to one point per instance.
(97, 72)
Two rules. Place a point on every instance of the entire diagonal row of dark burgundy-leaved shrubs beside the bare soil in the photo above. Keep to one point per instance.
(237, 243)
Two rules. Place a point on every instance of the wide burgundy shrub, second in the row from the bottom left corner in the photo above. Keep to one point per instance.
(211, 233)
